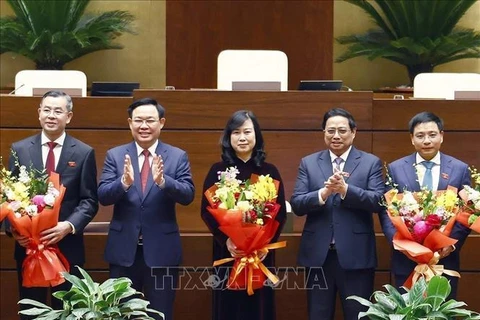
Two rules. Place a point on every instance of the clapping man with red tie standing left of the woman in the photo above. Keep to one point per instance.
(144, 180)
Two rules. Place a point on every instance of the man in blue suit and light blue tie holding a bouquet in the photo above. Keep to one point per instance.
(411, 173)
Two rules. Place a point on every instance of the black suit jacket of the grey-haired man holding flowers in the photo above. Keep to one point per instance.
(78, 173)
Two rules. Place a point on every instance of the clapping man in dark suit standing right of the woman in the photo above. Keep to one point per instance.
(338, 189)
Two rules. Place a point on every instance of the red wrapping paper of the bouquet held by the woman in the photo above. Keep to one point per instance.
(248, 273)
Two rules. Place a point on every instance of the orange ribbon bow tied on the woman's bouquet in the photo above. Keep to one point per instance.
(250, 263)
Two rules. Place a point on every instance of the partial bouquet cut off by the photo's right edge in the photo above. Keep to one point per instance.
(471, 203)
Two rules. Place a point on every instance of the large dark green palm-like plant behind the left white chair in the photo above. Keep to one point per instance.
(52, 33)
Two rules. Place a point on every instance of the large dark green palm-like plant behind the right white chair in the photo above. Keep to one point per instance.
(419, 34)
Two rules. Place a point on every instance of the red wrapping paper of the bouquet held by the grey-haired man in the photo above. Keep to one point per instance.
(43, 265)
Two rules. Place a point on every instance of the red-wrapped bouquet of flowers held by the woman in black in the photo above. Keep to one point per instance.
(245, 212)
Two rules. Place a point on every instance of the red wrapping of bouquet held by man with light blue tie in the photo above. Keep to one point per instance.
(424, 254)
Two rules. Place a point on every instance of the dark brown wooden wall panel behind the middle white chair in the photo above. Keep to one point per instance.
(197, 31)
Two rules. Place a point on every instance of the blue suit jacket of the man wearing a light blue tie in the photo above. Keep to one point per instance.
(402, 171)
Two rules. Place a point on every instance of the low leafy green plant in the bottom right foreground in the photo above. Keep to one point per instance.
(423, 301)
